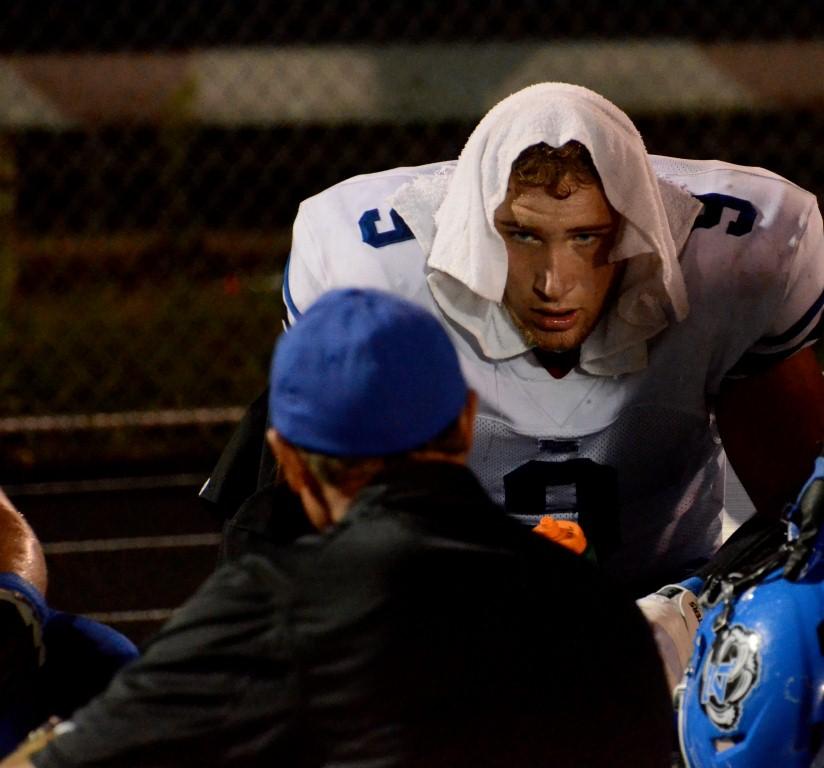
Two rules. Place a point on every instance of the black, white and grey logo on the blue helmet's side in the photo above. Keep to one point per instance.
(730, 674)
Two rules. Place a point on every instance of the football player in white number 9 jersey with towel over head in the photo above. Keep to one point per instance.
(626, 319)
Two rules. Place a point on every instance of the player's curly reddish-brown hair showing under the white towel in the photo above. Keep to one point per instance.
(559, 170)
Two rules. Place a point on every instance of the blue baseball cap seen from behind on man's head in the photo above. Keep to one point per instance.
(364, 373)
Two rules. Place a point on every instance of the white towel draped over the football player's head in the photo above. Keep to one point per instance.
(467, 263)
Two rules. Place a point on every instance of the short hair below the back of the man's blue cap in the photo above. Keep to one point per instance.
(347, 472)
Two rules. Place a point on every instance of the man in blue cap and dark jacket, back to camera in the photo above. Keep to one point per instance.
(419, 626)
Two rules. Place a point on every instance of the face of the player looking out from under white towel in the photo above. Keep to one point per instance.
(559, 275)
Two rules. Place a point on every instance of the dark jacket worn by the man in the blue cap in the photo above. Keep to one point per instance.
(426, 629)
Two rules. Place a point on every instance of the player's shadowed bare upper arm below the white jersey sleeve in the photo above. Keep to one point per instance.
(772, 427)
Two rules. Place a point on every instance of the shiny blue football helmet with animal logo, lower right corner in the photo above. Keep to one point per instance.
(753, 692)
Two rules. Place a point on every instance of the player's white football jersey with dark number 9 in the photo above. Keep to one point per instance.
(635, 458)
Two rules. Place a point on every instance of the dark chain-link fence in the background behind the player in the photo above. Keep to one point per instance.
(152, 156)
